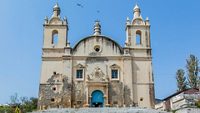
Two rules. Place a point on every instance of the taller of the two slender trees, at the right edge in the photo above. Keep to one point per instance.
(192, 70)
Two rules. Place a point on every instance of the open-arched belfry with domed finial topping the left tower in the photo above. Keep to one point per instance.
(55, 30)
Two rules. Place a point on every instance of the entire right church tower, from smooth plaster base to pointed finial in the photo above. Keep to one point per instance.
(138, 47)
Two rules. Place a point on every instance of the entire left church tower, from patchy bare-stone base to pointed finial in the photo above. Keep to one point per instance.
(55, 81)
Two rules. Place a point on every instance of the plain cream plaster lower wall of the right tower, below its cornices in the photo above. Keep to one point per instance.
(143, 73)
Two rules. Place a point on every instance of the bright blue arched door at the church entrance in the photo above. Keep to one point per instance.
(97, 99)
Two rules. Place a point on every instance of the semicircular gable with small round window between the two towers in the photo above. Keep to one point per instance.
(105, 46)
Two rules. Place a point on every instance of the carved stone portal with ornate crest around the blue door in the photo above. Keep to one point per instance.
(97, 83)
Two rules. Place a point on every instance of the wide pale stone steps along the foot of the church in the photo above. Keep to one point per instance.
(101, 110)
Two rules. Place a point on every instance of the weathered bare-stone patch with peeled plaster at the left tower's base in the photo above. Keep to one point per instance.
(55, 93)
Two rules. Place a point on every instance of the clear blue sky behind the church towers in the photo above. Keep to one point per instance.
(175, 29)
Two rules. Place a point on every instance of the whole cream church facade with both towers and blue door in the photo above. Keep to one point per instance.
(97, 71)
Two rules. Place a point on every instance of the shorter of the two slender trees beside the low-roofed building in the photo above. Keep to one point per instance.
(181, 80)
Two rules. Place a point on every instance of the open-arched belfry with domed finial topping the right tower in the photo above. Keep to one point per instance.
(137, 31)
